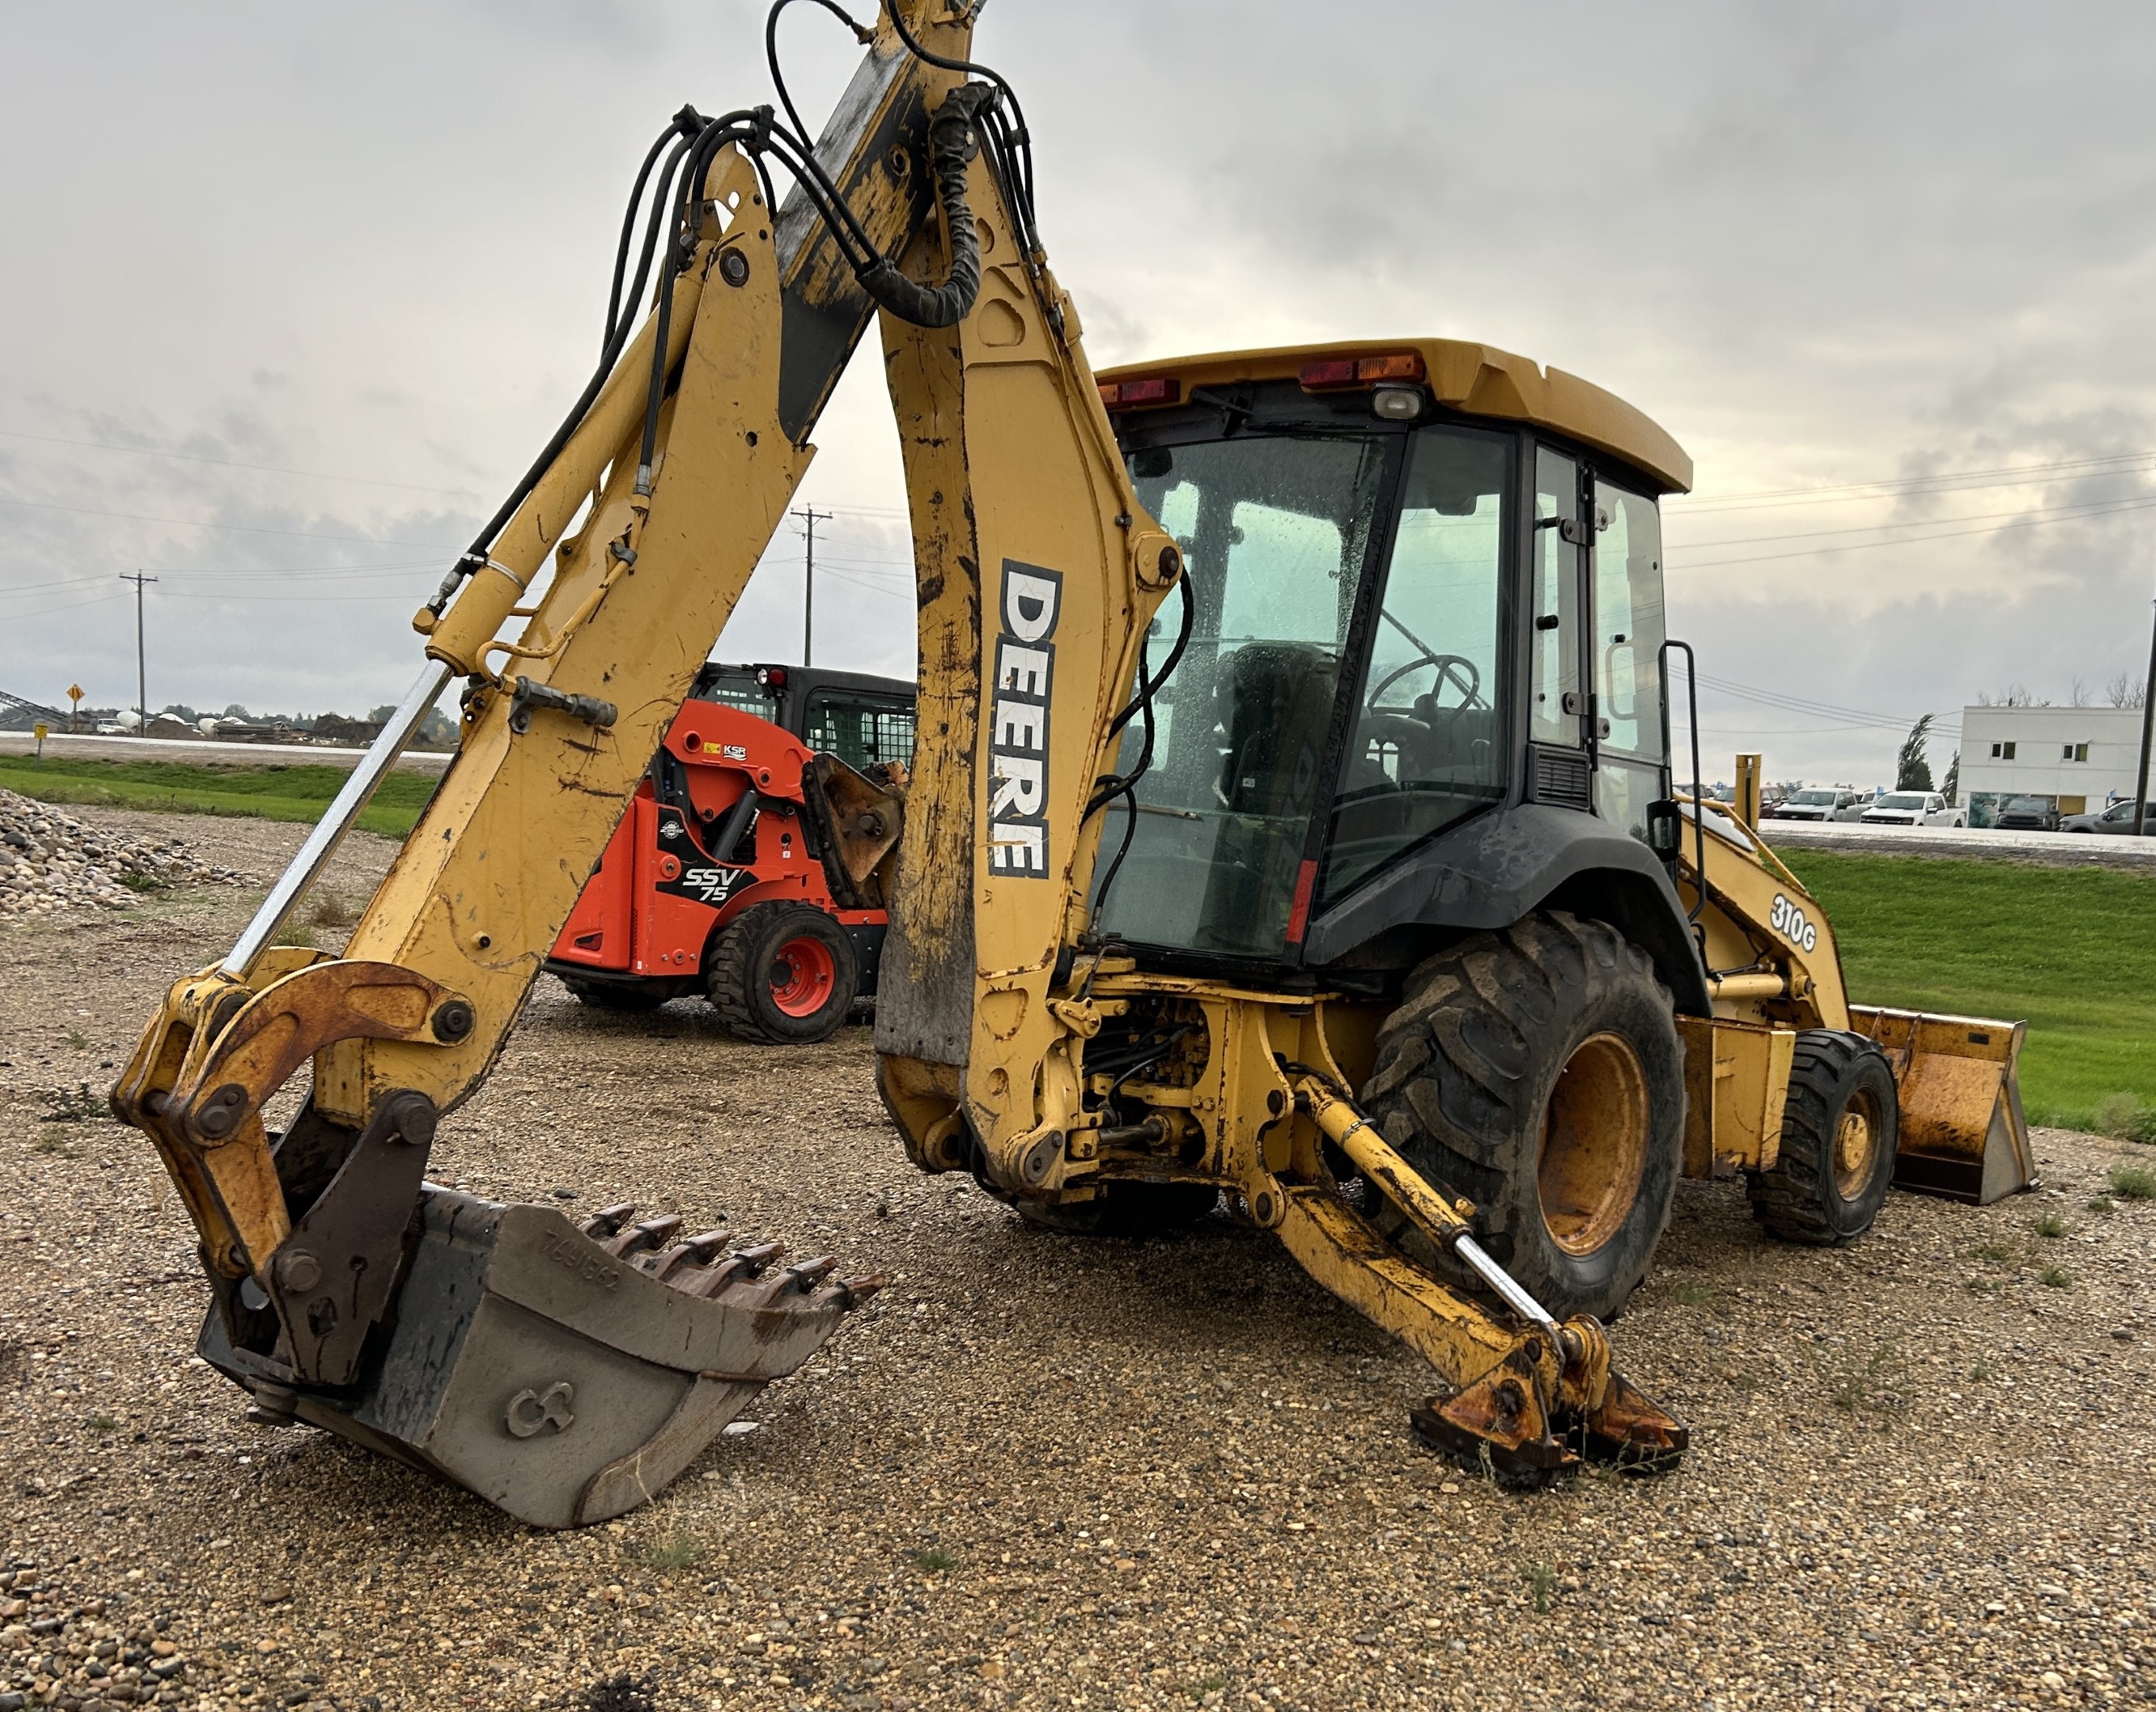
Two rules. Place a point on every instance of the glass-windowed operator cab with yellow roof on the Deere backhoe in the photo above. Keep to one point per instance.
(1424, 594)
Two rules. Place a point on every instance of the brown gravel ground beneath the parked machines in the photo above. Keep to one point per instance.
(1040, 1472)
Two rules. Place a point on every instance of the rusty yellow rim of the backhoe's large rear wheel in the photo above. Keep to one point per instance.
(1594, 1144)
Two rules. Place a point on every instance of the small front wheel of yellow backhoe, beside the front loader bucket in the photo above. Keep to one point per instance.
(1838, 1144)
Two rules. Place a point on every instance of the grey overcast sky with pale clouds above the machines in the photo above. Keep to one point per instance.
(296, 292)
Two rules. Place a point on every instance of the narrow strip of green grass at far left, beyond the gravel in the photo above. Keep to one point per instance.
(184, 788)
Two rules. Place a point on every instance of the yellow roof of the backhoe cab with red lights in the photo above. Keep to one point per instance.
(1478, 381)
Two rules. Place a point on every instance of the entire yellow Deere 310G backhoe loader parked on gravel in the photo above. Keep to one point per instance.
(1290, 825)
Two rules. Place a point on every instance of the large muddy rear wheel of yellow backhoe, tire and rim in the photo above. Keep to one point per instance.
(1538, 1073)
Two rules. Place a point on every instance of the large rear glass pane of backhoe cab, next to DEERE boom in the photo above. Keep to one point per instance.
(1275, 534)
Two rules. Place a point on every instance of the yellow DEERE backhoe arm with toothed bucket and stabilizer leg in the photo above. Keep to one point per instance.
(473, 1338)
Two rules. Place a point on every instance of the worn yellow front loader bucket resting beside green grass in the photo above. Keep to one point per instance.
(1963, 1129)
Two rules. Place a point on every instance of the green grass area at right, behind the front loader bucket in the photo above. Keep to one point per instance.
(2073, 952)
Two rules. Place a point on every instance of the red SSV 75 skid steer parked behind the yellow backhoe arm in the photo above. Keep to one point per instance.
(717, 879)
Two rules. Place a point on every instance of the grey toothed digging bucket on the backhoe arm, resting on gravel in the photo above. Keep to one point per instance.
(562, 1372)
